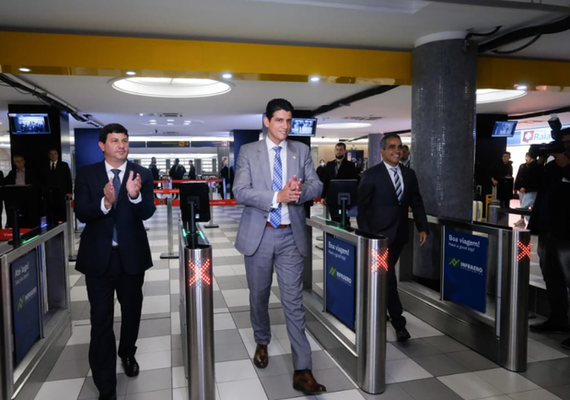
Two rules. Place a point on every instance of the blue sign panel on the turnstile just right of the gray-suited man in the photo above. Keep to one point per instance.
(340, 281)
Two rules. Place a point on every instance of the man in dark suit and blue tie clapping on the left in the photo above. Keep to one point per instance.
(113, 198)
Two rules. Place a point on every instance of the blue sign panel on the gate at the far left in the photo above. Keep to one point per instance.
(25, 303)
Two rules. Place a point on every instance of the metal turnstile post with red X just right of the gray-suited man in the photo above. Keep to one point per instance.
(372, 270)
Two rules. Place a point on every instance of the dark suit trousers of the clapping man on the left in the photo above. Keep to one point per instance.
(102, 349)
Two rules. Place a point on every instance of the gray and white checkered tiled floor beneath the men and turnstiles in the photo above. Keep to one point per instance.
(431, 366)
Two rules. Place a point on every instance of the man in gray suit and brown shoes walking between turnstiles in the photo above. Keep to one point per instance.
(274, 177)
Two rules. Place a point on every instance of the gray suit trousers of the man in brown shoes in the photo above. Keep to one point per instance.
(278, 248)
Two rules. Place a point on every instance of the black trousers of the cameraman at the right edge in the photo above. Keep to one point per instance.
(554, 254)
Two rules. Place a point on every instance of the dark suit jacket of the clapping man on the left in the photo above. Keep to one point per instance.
(95, 247)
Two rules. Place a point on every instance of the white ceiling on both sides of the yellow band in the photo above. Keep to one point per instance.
(378, 24)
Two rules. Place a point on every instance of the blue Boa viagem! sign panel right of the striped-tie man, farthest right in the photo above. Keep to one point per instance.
(465, 269)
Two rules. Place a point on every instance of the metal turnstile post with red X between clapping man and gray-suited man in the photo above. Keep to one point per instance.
(197, 321)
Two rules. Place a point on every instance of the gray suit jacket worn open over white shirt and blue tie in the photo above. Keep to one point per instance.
(252, 188)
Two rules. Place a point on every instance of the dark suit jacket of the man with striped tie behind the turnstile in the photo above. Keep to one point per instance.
(378, 209)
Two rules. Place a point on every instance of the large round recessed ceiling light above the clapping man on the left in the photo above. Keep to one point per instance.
(171, 87)
